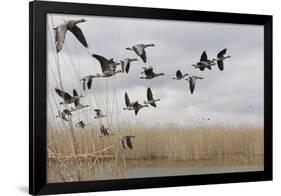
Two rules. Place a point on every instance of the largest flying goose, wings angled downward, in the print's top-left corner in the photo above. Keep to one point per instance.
(71, 25)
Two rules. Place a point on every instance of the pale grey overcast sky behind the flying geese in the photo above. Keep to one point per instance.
(234, 95)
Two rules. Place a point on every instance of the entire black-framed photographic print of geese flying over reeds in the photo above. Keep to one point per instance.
(128, 97)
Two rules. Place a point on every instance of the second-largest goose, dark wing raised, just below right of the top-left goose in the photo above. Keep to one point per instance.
(108, 66)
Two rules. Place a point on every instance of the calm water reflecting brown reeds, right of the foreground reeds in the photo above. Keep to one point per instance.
(160, 168)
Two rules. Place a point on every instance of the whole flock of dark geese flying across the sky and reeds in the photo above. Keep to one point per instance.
(109, 69)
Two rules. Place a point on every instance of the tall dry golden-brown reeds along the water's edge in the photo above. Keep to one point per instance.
(105, 155)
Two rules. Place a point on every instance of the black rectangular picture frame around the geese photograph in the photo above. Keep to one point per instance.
(37, 97)
